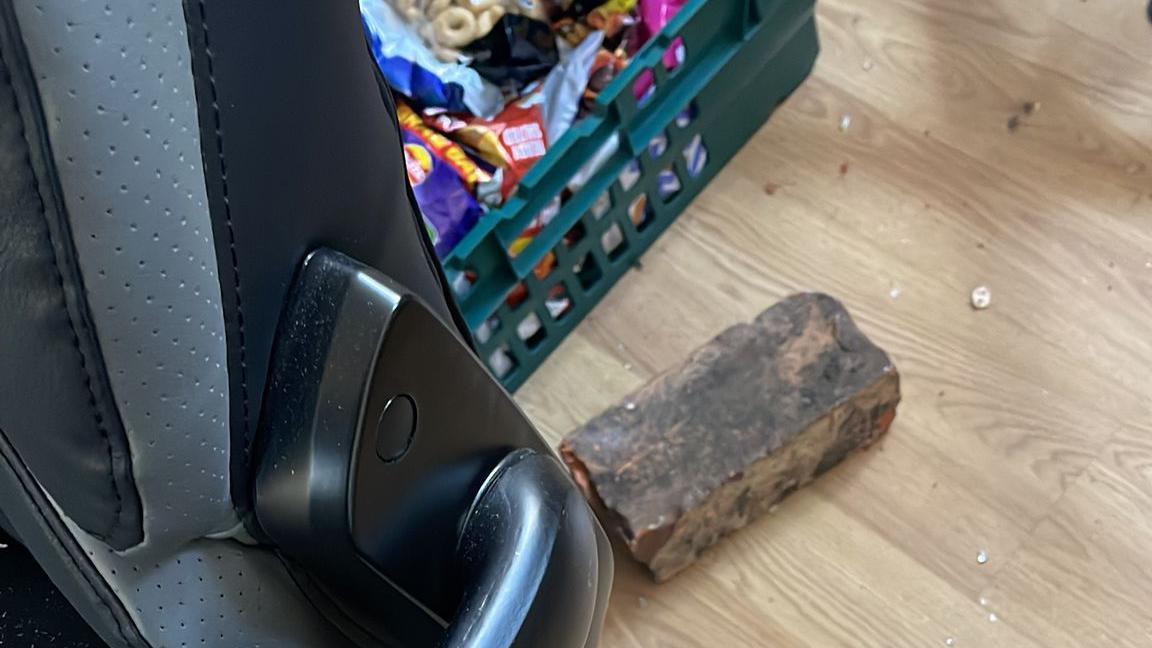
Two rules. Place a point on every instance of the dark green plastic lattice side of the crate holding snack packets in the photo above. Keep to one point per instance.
(742, 59)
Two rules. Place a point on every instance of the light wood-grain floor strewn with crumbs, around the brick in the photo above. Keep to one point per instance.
(1026, 430)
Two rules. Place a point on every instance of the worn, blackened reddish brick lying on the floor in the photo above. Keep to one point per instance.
(749, 418)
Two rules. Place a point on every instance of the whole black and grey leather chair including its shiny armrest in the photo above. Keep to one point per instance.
(238, 405)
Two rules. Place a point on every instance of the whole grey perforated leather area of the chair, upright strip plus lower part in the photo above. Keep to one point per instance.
(117, 87)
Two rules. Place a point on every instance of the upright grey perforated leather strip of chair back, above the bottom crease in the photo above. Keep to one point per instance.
(117, 88)
